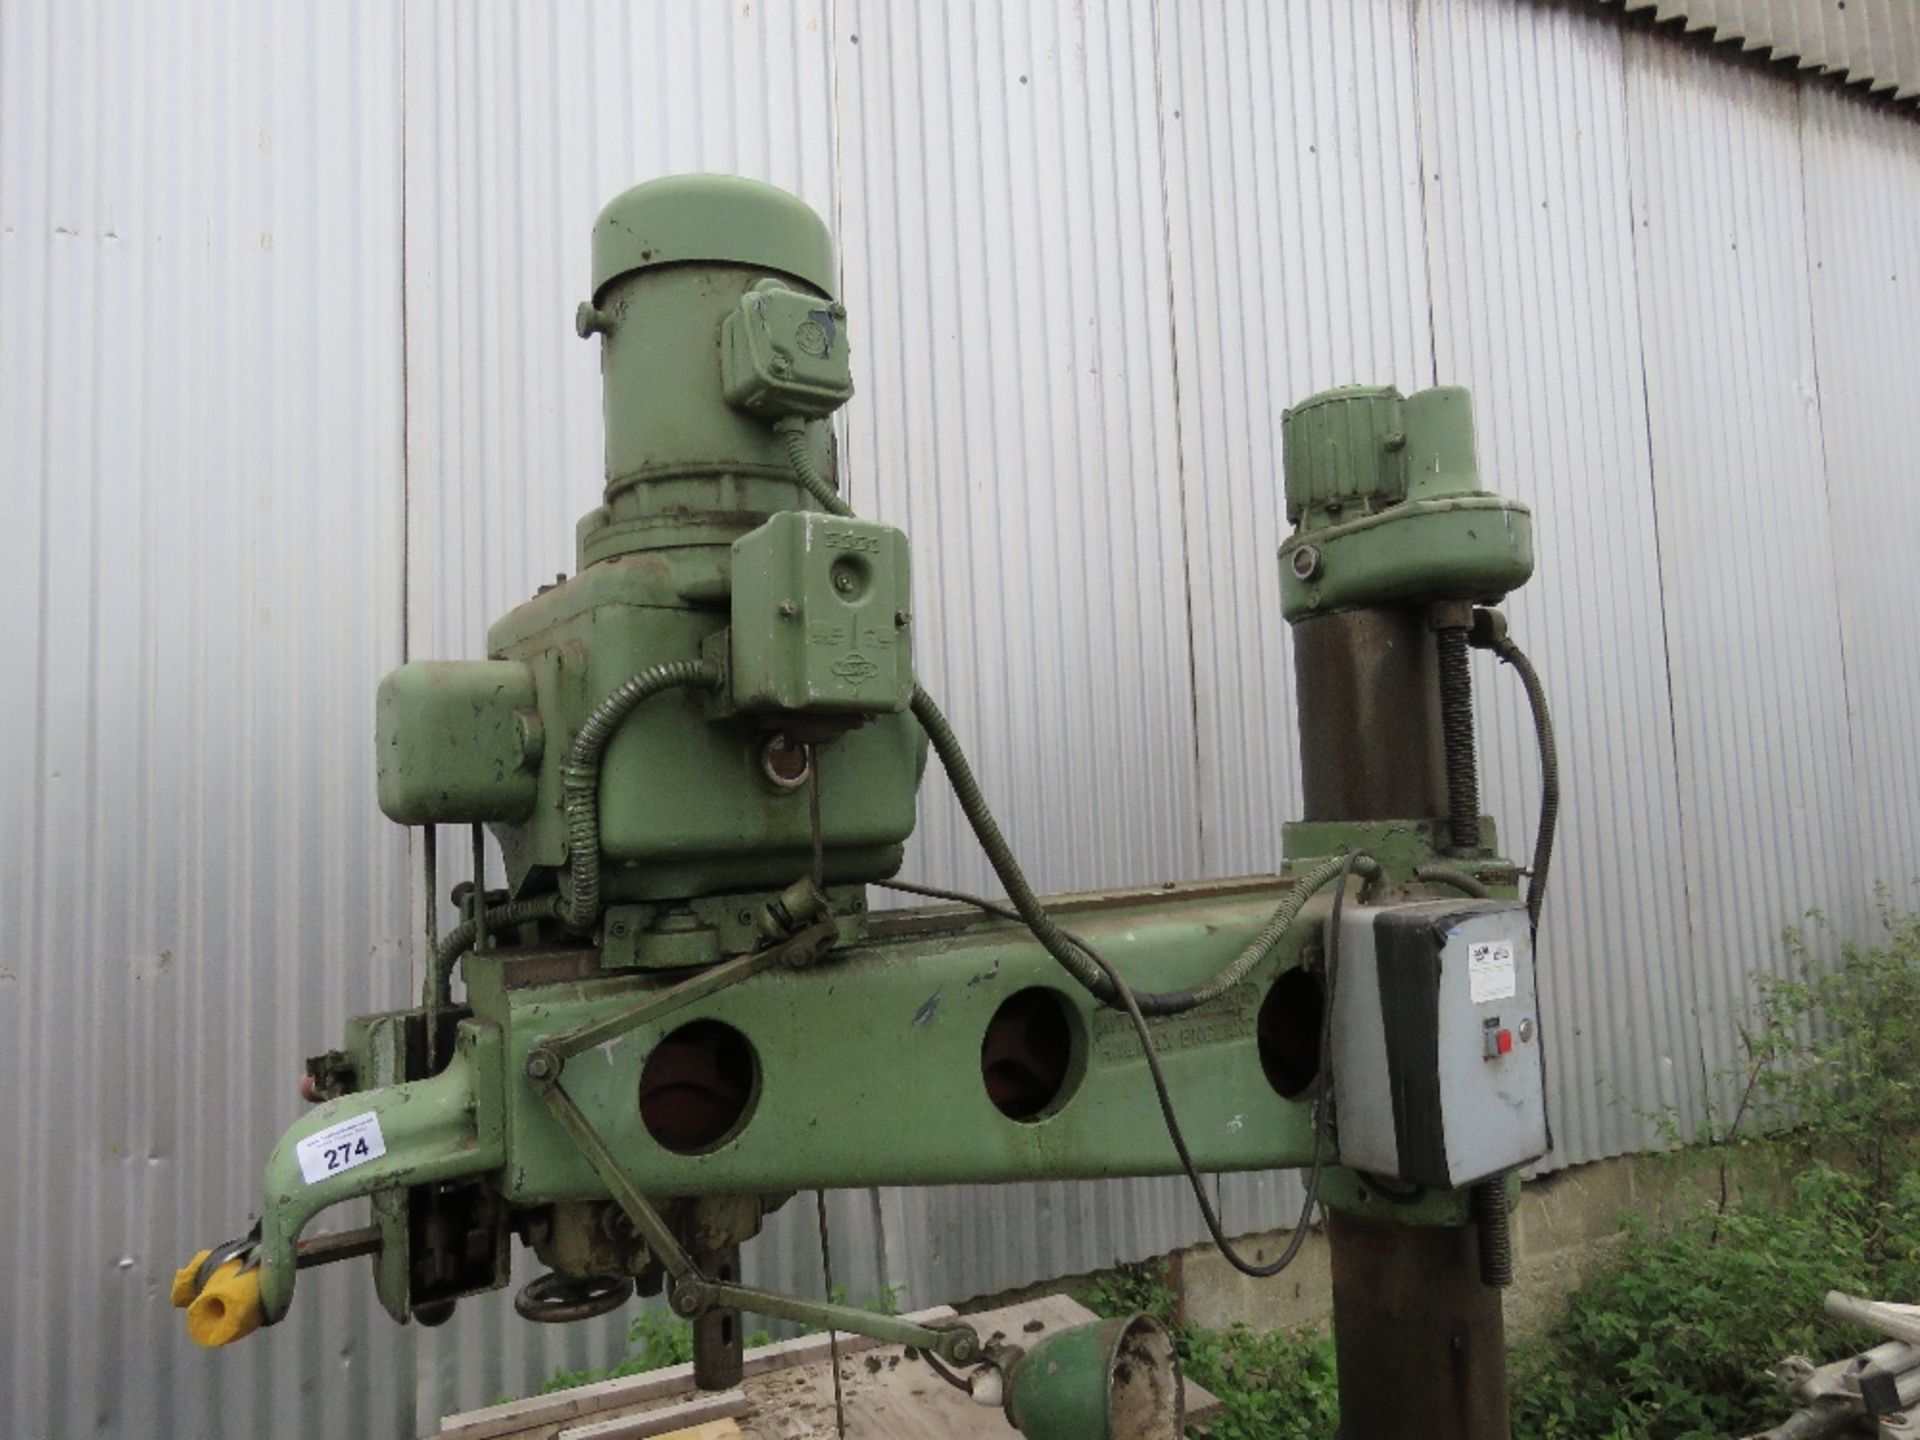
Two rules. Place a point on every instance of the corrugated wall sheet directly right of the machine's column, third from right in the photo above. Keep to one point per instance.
(1531, 251)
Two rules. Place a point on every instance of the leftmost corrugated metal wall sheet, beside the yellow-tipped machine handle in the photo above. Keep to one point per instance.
(201, 416)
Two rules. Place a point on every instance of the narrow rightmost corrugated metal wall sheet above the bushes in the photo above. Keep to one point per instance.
(1863, 241)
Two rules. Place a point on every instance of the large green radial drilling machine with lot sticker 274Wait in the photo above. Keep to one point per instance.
(704, 748)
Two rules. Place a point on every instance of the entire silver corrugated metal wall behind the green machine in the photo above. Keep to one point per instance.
(289, 391)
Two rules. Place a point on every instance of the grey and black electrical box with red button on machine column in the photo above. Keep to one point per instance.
(1437, 1061)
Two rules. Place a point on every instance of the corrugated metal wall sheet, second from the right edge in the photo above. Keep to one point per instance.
(1769, 815)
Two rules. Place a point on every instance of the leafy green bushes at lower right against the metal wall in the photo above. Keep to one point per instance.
(1813, 1188)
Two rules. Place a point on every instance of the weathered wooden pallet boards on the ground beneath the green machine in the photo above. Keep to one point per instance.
(788, 1395)
